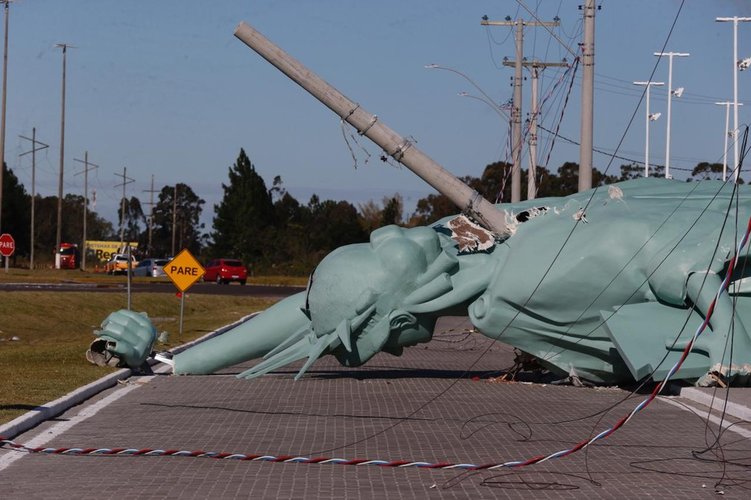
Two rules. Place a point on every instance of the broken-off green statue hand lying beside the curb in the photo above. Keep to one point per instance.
(126, 339)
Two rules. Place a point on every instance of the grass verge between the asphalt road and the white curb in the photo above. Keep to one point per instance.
(55, 329)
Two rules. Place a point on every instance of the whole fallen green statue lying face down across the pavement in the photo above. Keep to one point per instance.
(607, 284)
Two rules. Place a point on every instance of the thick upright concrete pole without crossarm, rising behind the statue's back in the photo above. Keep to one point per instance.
(587, 105)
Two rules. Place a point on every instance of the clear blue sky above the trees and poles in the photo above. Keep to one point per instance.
(165, 89)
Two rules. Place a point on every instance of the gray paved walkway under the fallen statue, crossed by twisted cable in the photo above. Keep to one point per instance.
(437, 403)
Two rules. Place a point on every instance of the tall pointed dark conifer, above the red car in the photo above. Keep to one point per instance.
(245, 216)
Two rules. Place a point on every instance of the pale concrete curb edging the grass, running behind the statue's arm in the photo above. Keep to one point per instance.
(57, 407)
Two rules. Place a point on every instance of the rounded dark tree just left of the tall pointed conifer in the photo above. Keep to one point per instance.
(186, 208)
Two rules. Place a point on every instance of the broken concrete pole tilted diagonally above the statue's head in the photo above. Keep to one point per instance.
(402, 150)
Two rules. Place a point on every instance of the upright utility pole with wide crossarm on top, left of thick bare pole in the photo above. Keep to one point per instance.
(516, 111)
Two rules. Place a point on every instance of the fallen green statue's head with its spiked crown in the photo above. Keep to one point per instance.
(370, 297)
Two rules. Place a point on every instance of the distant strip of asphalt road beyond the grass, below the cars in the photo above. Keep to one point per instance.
(157, 287)
